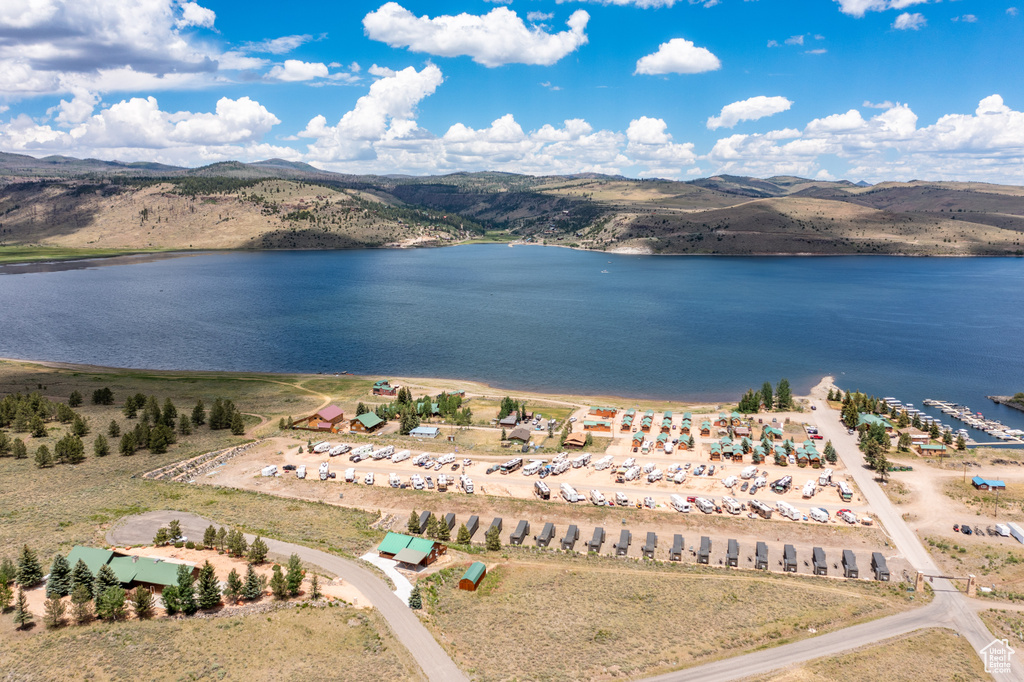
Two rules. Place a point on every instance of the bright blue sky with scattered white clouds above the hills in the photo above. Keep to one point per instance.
(858, 90)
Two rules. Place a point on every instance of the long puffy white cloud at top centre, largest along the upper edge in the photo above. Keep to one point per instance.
(495, 39)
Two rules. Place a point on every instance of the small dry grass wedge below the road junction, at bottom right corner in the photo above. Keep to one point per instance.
(936, 656)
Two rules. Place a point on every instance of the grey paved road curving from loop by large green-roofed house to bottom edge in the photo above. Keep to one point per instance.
(432, 658)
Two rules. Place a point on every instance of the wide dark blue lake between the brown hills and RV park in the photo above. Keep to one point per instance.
(545, 319)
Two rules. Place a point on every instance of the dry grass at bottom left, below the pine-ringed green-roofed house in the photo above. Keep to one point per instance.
(293, 644)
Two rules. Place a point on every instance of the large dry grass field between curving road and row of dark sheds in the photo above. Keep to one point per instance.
(594, 618)
